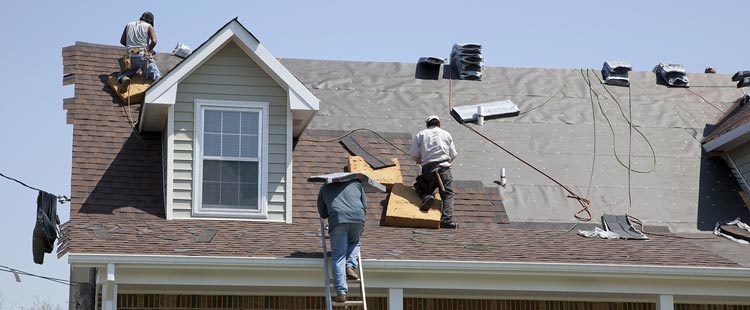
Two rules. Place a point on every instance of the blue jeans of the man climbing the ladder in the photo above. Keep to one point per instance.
(344, 252)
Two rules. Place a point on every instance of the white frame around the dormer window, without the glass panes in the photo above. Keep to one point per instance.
(241, 106)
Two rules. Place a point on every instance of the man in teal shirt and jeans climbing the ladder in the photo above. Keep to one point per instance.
(343, 204)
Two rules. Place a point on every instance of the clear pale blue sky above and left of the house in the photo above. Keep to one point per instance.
(36, 141)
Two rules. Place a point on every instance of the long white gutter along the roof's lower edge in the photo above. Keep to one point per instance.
(415, 266)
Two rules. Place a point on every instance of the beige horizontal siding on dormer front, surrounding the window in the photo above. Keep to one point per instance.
(229, 75)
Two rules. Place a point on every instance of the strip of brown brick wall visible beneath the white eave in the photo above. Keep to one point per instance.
(224, 302)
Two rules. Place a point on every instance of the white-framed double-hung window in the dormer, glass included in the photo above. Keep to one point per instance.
(230, 160)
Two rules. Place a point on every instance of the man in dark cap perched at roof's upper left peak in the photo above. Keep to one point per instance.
(139, 38)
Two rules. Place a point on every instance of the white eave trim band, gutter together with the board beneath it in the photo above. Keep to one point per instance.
(688, 283)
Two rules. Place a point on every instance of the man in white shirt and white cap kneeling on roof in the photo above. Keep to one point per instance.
(433, 148)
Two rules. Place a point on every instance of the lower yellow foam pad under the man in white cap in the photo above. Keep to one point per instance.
(403, 209)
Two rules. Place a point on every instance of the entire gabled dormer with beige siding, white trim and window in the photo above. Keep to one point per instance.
(228, 114)
